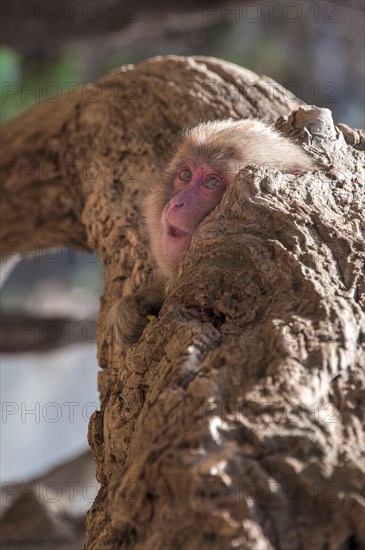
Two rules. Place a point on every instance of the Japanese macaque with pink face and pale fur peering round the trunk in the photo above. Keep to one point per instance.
(205, 163)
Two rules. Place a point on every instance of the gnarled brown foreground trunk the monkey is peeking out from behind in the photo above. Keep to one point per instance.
(238, 417)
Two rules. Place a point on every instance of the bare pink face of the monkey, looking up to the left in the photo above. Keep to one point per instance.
(197, 191)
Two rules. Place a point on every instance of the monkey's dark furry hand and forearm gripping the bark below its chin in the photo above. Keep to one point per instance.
(130, 315)
